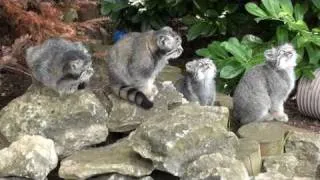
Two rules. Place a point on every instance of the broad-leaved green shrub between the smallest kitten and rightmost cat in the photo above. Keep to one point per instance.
(233, 58)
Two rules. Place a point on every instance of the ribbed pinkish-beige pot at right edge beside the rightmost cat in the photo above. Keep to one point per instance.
(308, 96)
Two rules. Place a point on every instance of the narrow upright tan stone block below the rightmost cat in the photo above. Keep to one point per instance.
(249, 153)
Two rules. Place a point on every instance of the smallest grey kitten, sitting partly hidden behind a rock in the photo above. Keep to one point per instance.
(198, 84)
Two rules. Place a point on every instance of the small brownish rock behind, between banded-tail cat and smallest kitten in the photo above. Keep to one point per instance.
(170, 73)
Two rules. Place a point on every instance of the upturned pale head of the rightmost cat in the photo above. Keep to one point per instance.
(282, 57)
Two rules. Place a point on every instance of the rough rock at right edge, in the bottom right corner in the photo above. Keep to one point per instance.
(306, 148)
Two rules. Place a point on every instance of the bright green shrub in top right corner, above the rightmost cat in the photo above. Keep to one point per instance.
(293, 29)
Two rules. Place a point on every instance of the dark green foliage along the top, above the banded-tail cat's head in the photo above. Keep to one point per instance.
(203, 18)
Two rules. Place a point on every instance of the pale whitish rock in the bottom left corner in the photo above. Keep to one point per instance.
(31, 157)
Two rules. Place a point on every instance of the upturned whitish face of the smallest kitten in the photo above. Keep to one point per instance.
(201, 68)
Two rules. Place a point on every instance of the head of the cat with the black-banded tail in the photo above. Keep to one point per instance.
(169, 41)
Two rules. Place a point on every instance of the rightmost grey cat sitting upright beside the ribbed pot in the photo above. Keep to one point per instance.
(262, 90)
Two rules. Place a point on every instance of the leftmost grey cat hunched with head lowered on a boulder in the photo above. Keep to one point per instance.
(60, 64)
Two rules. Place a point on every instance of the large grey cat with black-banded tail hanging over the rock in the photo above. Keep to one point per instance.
(135, 61)
